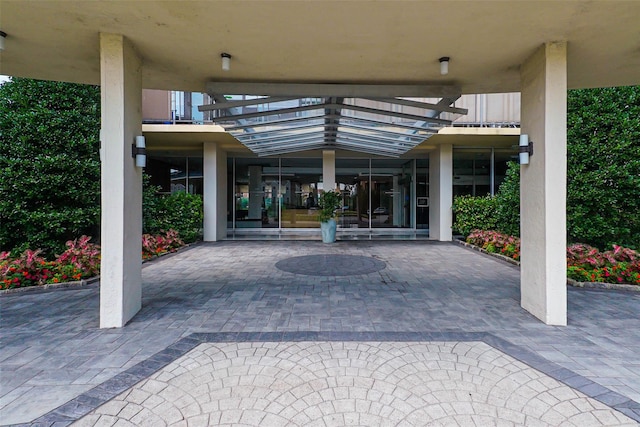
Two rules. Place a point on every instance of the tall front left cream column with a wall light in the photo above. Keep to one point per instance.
(121, 182)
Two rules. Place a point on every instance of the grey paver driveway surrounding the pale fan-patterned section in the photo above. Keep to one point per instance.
(52, 350)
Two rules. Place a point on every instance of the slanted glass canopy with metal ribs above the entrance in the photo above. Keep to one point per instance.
(274, 125)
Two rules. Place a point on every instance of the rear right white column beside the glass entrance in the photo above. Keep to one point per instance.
(441, 193)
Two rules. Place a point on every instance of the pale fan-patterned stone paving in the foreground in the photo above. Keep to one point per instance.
(351, 383)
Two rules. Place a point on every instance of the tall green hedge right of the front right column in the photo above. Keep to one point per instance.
(603, 186)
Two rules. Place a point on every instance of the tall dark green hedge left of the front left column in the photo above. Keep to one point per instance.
(49, 164)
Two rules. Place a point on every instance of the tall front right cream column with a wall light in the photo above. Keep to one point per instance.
(543, 282)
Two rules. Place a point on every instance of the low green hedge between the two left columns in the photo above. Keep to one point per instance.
(180, 211)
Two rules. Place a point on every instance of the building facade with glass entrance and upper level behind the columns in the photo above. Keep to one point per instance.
(381, 195)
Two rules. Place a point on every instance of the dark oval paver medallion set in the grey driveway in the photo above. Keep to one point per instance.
(330, 265)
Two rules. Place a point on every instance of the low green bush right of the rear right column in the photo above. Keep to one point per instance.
(474, 213)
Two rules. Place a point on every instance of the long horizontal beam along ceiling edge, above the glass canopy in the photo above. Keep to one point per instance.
(325, 90)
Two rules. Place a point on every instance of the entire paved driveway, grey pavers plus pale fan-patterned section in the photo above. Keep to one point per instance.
(428, 296)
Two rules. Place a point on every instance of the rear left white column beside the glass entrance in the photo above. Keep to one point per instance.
(215, 192)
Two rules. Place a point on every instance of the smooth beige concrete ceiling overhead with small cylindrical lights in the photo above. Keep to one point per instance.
(325, 41)
